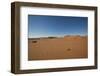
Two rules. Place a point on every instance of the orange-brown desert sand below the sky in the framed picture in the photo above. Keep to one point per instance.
(48, 48)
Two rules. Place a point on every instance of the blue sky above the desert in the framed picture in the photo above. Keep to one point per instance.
(44, 26)
